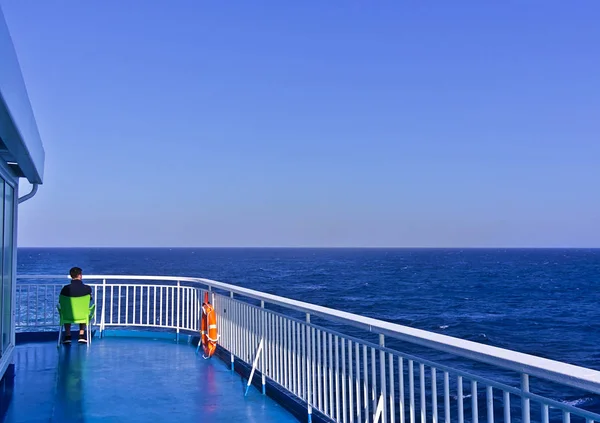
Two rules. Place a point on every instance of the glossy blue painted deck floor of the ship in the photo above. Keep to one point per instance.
(133, 380)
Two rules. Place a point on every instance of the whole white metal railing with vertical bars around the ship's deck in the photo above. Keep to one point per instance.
(347, 377)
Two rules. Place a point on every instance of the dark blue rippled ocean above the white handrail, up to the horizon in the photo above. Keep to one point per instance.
(542, 302)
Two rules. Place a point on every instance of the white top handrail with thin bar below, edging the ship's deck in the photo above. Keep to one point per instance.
(564, 373)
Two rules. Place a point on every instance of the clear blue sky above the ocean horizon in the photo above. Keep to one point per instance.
(340, 123)
